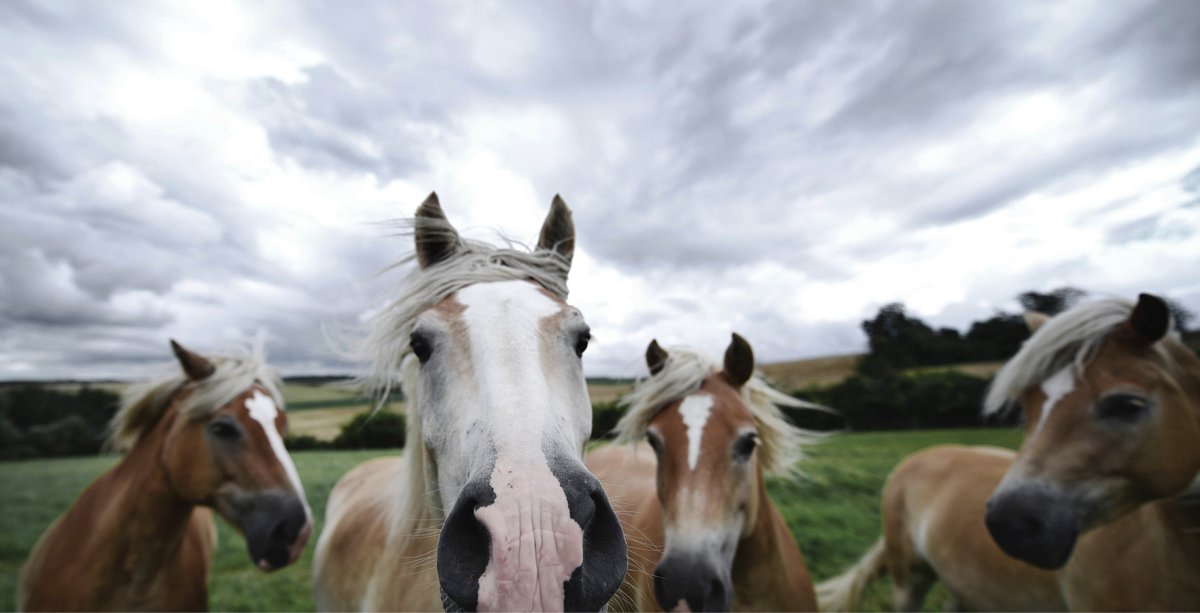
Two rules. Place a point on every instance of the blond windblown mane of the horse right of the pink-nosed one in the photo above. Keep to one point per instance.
(683, 374)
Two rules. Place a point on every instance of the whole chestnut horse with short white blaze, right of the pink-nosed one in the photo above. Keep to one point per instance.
(694, 494)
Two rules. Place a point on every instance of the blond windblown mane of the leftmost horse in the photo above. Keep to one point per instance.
(143, 404)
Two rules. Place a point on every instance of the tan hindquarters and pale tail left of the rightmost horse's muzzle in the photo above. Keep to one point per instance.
(933, 507)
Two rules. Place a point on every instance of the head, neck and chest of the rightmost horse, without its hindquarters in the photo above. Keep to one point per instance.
(1103, 488)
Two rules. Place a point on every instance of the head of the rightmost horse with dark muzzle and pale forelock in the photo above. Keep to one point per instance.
(1111, 404)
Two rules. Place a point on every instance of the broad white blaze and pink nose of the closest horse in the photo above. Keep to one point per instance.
(530, 524)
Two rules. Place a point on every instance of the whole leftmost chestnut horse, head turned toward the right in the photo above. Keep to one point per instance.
(141, 537)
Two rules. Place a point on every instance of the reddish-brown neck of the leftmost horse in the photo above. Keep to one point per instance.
(141, 522)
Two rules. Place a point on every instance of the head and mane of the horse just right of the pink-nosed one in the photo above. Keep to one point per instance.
(716, 429)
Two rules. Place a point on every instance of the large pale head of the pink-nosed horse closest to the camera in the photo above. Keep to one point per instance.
(505, 417)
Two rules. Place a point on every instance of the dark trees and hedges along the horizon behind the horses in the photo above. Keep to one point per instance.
(905, 381)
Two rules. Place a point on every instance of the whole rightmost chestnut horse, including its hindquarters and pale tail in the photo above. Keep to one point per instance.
(1113, 418)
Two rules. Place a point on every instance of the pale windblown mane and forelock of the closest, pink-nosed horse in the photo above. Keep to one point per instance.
(386, 353)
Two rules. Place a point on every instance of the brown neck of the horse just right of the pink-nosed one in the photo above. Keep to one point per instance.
(769, 569)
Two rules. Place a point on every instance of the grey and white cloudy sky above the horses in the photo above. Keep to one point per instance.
(208, 171)
